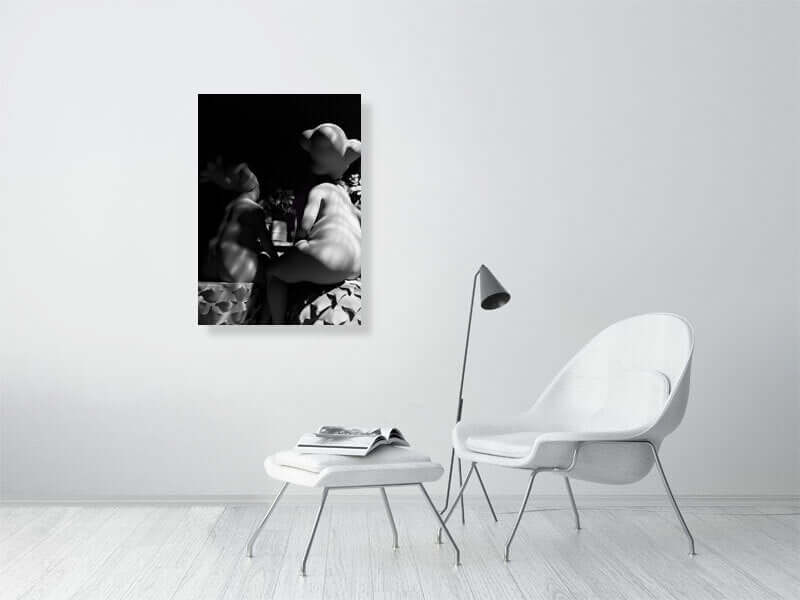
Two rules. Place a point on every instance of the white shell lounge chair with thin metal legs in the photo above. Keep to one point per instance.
(601, 419)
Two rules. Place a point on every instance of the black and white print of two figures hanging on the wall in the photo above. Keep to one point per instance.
(279, 209)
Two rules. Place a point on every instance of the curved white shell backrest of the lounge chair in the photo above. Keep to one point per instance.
(633, 376)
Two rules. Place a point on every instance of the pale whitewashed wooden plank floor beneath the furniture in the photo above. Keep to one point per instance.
(745, 550)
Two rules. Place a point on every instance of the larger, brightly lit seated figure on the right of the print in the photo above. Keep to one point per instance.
(327, 249)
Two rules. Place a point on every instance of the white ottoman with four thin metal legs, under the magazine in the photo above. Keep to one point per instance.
(385, 467)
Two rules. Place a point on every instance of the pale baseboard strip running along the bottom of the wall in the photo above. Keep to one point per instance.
(360, 496)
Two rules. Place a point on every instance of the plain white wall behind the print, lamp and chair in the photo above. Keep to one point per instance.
(604, 159)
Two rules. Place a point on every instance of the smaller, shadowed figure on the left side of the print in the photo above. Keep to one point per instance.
(241, 242)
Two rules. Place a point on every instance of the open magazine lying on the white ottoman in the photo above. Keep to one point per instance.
(349, 441)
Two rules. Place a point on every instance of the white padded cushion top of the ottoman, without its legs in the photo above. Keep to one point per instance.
(387, 465)
